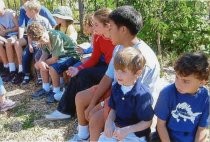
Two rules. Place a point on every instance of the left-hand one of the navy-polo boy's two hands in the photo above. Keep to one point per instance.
(109, 128)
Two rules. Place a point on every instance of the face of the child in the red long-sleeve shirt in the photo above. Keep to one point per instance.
(100, 28)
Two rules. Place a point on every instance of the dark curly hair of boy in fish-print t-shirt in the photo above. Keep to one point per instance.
(193, 63)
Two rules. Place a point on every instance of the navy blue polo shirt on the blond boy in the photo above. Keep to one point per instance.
(132, 107)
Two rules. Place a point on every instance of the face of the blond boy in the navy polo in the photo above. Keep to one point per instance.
(126, 77)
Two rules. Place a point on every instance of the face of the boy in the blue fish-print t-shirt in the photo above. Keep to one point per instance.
(188, 84)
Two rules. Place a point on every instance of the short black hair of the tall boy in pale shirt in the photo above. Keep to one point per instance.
(127, 16)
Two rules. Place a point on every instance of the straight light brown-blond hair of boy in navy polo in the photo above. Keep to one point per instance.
(130, 58)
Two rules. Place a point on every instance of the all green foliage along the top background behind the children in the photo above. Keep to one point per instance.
(182, 25)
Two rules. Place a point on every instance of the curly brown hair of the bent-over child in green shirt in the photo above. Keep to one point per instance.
(35, 31)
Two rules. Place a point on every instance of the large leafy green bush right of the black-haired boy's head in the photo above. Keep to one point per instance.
(180, 24)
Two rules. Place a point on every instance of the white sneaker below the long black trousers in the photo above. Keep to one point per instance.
(57, 115)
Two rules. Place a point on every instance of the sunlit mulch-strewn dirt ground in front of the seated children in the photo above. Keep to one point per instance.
(26, 122)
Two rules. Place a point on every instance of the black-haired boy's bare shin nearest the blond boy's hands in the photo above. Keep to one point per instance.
(96, 125)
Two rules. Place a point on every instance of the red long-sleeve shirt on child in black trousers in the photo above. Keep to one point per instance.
(101, 46)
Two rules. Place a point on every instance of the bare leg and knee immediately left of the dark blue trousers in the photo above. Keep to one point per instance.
(19, 49)
